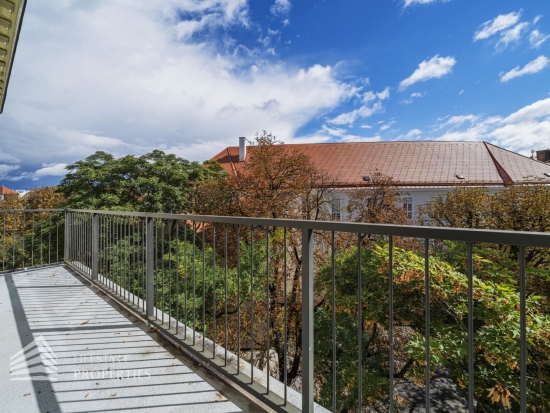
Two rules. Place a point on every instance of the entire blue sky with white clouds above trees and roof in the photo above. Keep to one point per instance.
(189, 77)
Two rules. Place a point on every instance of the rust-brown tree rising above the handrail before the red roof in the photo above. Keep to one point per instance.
(274, 182)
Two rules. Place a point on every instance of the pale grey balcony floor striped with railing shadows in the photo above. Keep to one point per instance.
(105, 360)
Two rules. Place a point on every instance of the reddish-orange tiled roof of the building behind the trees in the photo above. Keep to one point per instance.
(424, 163)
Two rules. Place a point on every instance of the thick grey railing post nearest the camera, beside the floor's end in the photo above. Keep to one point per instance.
(307, 321)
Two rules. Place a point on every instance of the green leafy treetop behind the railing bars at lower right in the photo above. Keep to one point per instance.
(496, 340)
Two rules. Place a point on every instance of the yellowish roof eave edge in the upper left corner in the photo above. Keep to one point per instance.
(11, 19)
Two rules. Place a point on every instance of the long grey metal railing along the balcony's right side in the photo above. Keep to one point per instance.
(174, 269)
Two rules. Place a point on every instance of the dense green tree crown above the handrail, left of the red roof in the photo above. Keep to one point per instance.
(154, 182)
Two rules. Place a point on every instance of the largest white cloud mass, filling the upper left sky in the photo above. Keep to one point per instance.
(134, 84)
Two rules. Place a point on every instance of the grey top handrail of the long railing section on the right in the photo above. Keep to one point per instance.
(516, 238)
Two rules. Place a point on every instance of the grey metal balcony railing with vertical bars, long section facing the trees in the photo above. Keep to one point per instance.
(244, 294)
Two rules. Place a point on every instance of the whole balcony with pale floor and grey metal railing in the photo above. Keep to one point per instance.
(126, 311)
